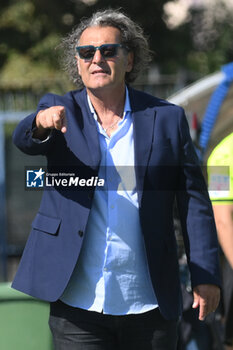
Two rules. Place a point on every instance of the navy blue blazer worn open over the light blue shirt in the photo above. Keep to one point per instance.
(166, 169)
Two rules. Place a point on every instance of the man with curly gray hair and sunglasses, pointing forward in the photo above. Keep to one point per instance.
(106, 258)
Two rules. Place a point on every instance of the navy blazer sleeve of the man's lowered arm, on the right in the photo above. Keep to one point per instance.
(196, 215)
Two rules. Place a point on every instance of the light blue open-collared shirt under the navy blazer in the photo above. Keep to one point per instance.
(111, 275)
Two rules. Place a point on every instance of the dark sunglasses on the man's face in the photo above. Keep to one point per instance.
(87, 52)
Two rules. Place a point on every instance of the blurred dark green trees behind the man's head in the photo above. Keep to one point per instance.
(190, 38)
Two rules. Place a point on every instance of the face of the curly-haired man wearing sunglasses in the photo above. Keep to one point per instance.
(99, 72)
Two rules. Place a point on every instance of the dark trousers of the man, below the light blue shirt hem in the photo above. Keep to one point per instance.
(78, 329)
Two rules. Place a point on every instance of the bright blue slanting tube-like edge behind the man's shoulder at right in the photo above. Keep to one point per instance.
(214, 105)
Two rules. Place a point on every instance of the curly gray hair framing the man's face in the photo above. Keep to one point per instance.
(131, 34)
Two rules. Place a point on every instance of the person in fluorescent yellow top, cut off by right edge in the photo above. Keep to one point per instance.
(220, 174)
